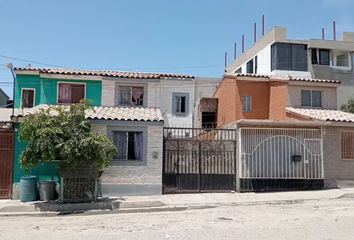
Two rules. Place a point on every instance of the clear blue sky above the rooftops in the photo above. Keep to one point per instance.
(184, 36)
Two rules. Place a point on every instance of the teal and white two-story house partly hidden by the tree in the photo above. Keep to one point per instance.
(129, 107)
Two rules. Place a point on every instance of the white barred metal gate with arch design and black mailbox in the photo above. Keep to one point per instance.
(273, 158)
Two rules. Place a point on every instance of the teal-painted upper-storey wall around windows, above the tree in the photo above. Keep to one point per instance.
(46, 89)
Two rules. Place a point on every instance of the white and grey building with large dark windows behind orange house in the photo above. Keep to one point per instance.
(275, 54)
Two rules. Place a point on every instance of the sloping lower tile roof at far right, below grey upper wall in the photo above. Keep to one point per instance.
(322, 114)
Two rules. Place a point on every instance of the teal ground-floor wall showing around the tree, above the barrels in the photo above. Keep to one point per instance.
(45, 171)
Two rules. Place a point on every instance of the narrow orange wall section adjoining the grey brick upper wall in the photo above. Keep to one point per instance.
(277, 100)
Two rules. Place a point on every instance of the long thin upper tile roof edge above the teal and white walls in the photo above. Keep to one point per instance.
(106, 73)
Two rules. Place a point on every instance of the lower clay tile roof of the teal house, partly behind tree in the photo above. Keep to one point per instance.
(106, 113)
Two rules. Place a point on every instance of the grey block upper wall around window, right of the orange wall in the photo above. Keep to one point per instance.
(329, 96)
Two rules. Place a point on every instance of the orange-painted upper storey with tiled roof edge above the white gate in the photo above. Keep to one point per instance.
(254, 96)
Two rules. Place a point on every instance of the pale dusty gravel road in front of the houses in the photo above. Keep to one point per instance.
(325, 219)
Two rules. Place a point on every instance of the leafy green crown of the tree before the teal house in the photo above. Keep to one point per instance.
(63, 133)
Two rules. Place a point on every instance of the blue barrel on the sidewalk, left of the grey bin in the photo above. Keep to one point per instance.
(28, 188)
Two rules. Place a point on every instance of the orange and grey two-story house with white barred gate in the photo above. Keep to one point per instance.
(289, 133)
